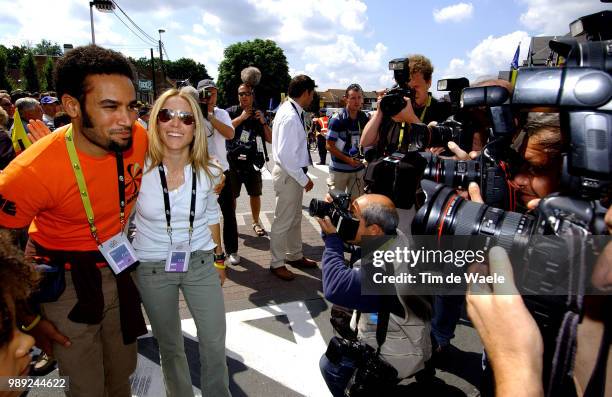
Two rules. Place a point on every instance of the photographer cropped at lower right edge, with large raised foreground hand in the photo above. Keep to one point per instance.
(513, 341)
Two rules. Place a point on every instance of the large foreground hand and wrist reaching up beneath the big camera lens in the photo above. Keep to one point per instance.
(510, 335)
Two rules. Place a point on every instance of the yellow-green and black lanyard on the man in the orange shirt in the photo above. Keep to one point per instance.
(80, 178)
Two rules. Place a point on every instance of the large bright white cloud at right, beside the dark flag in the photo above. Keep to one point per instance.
(488, 57)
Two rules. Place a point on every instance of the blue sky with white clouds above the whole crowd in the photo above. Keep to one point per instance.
(336, 42)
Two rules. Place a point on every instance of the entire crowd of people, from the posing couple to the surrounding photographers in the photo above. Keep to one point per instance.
(74, 284)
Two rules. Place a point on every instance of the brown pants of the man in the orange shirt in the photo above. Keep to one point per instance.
(97, 362)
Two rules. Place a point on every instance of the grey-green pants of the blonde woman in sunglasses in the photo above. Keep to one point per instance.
(201, 288)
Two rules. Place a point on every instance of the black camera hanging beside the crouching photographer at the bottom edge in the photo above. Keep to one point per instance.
(372, 373)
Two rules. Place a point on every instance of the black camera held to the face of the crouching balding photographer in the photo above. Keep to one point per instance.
(339, 211)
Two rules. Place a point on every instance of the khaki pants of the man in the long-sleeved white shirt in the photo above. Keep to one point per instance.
(286, 232)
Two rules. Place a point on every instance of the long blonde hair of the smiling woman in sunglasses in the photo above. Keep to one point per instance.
(198, 149)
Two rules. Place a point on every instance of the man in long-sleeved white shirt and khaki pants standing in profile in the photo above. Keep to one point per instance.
(291, 161)
